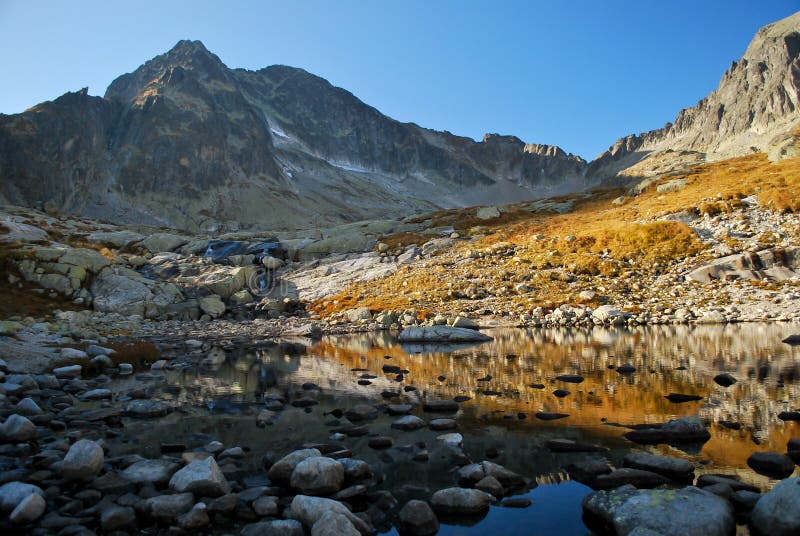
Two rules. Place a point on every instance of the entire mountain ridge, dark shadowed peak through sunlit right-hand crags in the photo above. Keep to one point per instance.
(184, 141)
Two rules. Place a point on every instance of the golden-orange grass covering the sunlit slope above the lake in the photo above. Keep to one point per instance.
(596, 238)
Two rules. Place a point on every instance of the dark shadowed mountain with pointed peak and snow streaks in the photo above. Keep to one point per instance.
(186, 142)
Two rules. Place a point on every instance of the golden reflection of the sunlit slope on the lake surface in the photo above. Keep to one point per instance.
(682, 359)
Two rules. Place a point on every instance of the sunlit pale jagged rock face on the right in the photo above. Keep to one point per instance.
(755, 107)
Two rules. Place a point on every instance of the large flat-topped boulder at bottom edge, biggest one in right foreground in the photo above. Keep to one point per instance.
(685, 512)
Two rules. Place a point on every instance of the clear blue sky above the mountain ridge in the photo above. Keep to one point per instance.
(577, 74)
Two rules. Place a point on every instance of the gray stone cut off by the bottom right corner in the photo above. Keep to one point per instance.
(777, 513)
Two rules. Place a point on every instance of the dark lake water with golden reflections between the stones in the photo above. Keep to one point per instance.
(221, 403)
